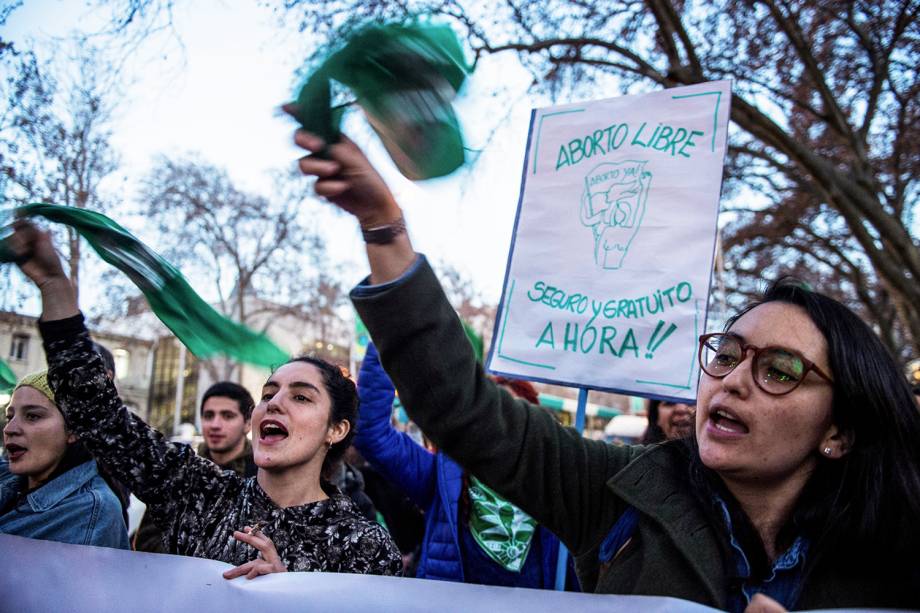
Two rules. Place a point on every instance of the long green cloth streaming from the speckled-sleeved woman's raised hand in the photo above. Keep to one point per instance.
(194, 322)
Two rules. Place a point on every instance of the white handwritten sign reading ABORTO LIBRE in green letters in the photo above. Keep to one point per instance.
(608, 275)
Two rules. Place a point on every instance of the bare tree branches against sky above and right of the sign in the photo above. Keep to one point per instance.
(825, 112)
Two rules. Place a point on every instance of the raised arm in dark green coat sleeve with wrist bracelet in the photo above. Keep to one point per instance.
(521, 451)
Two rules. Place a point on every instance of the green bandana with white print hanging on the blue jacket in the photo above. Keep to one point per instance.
(503, 531)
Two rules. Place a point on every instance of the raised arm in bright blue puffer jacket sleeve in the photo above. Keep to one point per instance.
(398, 458)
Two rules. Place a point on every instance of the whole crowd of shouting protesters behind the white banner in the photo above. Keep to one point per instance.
(793, 482)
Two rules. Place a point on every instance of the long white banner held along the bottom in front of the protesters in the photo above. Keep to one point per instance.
(42, 576)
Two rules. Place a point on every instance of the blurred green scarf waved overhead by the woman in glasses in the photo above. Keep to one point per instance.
(405, 77)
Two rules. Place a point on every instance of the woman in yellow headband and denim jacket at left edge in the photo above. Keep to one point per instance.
(50, 487)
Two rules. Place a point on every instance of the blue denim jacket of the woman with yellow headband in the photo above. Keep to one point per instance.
(76, 507)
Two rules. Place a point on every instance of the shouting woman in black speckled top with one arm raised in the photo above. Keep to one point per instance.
(285, 518)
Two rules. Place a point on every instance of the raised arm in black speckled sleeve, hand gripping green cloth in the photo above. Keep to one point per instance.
(156, 470)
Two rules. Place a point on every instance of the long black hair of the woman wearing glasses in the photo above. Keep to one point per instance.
(864, 505)
